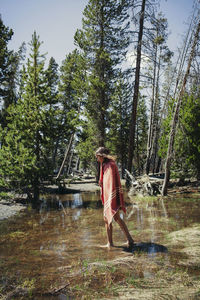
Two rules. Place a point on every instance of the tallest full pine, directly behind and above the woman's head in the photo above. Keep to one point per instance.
(103, 40)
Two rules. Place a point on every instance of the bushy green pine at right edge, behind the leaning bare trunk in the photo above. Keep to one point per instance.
(186, 156)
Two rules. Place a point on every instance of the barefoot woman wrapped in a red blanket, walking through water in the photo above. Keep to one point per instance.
(111, 194)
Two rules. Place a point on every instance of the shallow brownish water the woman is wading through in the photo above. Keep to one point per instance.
(53, 244)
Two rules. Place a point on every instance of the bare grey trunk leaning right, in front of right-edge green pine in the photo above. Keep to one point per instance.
(176, 114)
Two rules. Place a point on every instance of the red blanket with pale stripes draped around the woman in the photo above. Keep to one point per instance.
(111, 191)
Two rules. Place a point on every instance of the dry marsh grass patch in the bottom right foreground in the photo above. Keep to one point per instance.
(125, 276)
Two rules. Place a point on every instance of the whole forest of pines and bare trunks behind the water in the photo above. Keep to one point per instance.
(53, 118)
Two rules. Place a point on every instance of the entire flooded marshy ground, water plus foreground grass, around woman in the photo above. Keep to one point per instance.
(56, 253)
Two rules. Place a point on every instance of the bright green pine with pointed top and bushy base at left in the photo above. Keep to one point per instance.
(25, 152)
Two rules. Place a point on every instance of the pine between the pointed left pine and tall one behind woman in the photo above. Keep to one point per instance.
(71, 89)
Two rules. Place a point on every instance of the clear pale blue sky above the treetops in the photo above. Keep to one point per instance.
(56, 22)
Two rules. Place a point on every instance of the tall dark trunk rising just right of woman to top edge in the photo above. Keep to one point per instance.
(136, 90)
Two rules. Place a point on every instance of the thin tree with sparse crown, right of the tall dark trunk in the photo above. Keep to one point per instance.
(160, 55)
